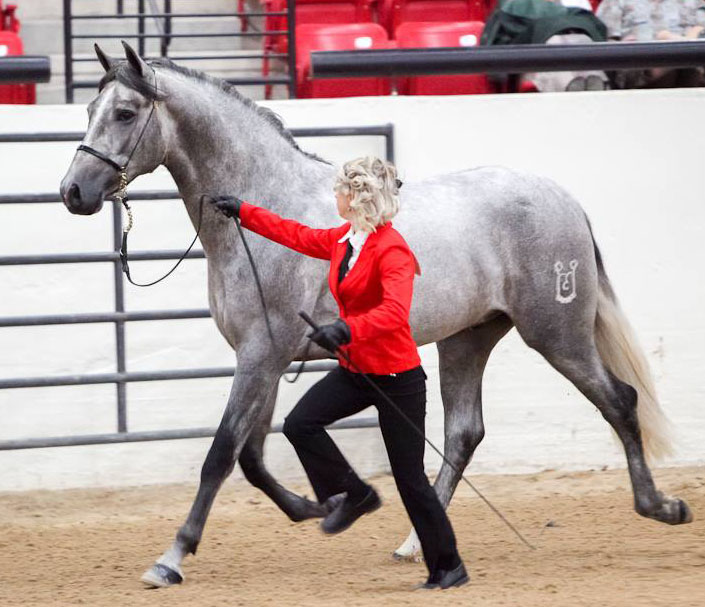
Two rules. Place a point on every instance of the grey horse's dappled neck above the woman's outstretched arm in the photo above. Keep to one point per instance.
(226, 148)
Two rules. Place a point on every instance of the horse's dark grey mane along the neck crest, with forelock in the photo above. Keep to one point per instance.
(124, 73)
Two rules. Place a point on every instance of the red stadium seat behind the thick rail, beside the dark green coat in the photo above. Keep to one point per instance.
(433, 35)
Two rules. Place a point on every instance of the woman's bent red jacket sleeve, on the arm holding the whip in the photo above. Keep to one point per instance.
(396, 267)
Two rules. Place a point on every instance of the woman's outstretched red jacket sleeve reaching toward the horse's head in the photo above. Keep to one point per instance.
(309, 241)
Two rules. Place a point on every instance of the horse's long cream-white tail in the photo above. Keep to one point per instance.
(622, 355)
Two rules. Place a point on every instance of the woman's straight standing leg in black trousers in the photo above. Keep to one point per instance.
(405, 447)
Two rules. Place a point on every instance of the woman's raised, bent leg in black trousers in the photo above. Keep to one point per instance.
(332, 398)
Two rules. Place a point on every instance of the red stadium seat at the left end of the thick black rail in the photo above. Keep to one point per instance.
(320, 37)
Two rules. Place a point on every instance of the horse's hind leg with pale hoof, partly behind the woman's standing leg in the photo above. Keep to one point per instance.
(461, 363)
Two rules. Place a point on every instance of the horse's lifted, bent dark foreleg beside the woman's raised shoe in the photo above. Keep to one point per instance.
(251, 460)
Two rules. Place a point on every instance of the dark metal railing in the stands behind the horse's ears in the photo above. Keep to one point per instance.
(164, 20)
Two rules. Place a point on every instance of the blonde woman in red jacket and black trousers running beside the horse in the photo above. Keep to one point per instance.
(371, 278)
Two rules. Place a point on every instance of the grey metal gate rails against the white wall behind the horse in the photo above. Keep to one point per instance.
(120, 316)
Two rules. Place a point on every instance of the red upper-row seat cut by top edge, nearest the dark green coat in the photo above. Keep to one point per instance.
(392, 13)
